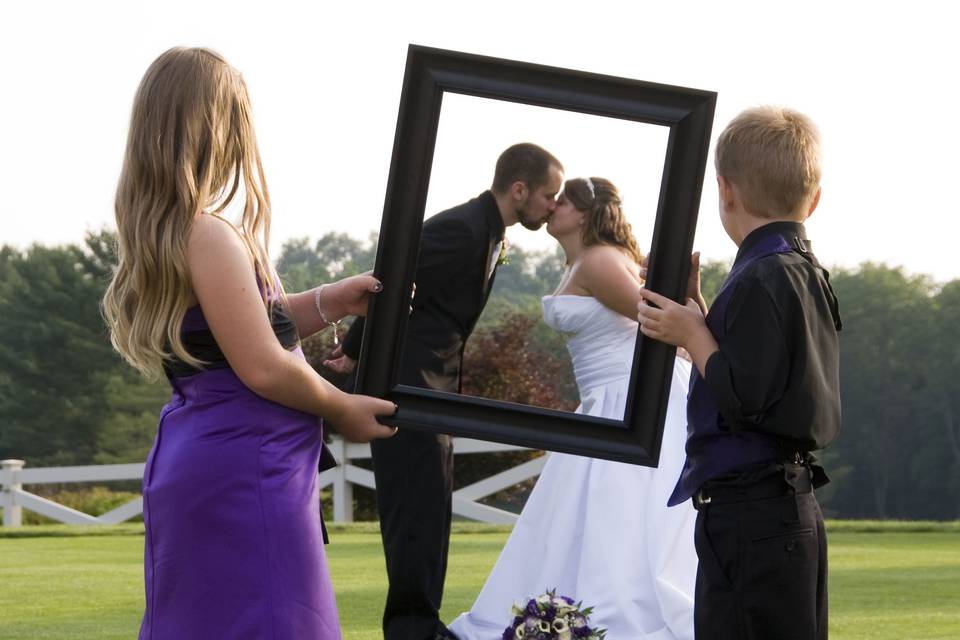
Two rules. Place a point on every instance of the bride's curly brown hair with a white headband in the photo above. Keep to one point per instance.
(605, 222)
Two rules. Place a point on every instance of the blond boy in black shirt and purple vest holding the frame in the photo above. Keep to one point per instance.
(764, 393)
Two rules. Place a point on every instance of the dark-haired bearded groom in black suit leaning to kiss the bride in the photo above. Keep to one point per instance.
(459, 250)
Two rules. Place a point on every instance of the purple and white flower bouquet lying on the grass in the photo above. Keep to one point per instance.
(551, 617)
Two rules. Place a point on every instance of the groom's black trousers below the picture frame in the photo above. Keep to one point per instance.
(414, 474)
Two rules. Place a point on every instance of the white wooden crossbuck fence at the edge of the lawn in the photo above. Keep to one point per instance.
(13, 475)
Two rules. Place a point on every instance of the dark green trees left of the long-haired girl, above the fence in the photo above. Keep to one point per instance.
(56, 360)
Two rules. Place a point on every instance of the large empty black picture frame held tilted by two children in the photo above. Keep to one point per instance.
(429, 74)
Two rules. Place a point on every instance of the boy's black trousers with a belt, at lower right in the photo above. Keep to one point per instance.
(763, 560)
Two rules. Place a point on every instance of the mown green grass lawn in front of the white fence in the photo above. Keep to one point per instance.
(888, 581)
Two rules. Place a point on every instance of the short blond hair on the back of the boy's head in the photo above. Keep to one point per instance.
(772, 156)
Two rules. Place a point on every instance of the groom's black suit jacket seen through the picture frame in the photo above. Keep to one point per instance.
(453, 281)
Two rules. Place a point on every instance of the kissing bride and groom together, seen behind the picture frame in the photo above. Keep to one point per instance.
(596, 530)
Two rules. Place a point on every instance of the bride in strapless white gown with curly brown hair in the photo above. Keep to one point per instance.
(600, 531)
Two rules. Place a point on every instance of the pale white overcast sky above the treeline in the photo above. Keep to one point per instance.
(325, 79)
